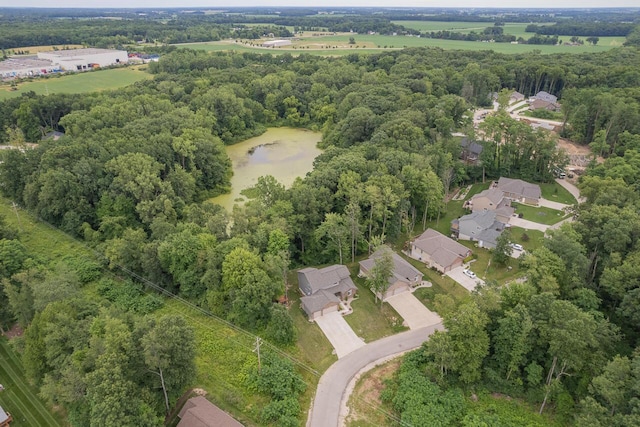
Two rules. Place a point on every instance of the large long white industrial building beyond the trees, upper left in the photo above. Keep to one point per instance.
(85, 59)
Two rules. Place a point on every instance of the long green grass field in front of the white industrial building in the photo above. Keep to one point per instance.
(92, 81)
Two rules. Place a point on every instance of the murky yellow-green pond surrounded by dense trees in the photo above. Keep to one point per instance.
(284, 153)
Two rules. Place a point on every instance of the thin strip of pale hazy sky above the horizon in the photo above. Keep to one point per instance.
(321, 3)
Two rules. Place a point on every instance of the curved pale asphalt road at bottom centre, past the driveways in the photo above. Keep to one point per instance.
(333, 384)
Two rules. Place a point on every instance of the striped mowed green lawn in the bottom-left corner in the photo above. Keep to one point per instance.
(19, 398)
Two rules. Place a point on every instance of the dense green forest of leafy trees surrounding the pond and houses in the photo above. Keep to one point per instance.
(135, 169)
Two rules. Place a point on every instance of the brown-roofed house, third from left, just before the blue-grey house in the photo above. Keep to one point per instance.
(438, 251)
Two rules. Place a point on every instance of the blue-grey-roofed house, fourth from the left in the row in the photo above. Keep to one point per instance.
(482, 227)
